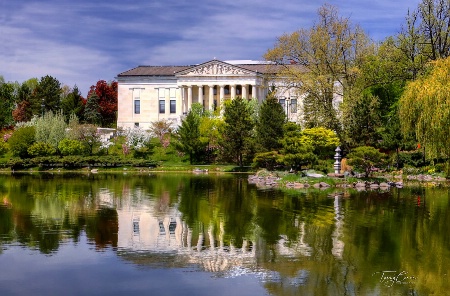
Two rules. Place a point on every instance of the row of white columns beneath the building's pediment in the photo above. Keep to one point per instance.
(257, 92)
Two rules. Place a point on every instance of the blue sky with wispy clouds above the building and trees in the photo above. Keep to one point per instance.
(83, 41)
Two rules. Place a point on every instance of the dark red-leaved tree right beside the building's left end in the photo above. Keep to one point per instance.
(107, 101)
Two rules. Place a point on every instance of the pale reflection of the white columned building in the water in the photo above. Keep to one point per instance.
(141, 231)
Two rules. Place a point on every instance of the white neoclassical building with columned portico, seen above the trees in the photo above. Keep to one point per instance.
(151, 93)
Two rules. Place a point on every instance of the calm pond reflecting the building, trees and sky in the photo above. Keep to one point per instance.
(185, 234)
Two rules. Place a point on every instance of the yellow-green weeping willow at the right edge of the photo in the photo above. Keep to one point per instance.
(425, 109)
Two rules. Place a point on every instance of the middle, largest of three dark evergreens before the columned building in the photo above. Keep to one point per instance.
(238, 135)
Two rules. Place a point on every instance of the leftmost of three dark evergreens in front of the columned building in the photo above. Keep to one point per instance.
(189, 136)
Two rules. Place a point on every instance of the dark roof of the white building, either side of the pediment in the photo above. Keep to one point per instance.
(261, 67)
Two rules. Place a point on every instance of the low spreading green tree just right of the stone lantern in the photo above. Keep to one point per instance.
(365, 158)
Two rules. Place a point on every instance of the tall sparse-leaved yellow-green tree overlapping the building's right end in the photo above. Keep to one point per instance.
(326, 61)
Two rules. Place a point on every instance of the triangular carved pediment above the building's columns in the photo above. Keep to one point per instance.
(215, 68)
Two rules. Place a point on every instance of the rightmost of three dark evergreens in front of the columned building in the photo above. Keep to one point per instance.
(271, 120)
